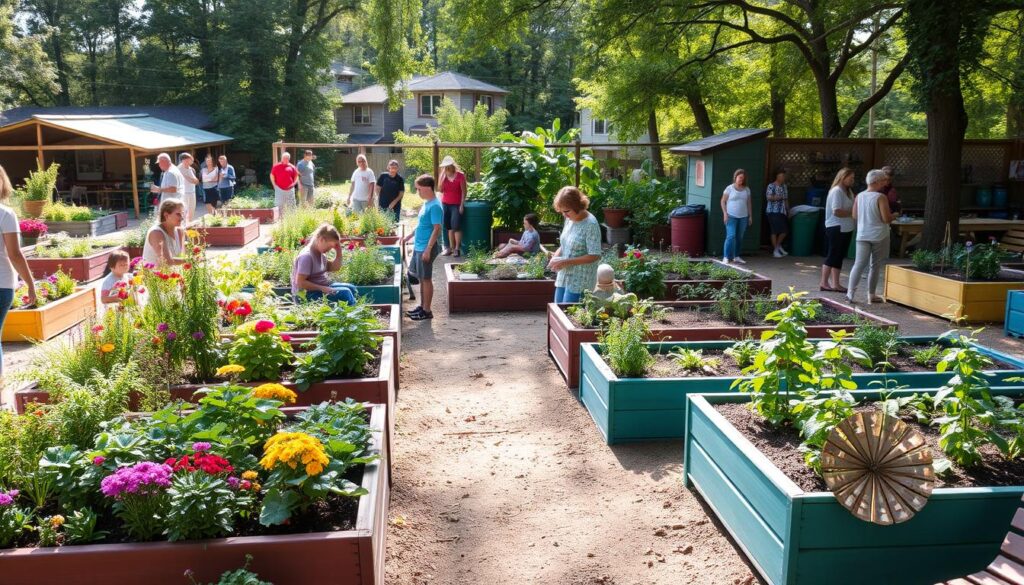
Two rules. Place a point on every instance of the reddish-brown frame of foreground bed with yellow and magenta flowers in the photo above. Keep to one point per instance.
(345, 558)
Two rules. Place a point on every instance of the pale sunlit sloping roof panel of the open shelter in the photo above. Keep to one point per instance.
(142, 132)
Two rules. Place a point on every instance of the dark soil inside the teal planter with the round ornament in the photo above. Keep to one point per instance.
(782, 445)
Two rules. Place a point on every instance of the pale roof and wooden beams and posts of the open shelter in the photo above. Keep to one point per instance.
(138, 135)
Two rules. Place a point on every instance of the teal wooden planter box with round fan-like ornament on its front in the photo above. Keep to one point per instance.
(794, 537)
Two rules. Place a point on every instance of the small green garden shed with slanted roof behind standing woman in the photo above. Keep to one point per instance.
(712, 161)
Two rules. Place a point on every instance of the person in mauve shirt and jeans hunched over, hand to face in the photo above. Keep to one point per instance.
(311, 269)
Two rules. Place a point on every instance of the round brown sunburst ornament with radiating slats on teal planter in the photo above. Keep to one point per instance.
(879, 468)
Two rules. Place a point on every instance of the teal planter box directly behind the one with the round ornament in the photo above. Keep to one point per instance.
(653, 409)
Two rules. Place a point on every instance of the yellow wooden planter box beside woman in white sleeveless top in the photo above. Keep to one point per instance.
(975, 303)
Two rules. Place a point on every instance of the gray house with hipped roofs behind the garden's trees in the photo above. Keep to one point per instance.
(366, 118)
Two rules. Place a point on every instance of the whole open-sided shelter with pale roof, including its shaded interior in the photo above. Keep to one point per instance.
(99, 150)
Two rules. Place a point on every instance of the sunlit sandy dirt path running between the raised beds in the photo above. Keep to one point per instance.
(501, 477)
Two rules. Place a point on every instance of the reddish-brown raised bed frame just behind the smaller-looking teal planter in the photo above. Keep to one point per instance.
(565, 339)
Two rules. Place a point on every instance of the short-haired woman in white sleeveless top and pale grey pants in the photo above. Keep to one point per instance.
(871, 211)
